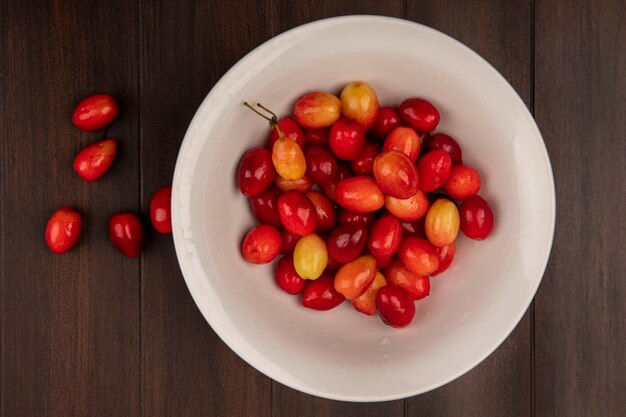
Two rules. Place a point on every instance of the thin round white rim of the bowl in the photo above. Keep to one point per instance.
(188, 271)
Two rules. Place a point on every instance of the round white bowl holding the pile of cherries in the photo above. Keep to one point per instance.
(342, 354)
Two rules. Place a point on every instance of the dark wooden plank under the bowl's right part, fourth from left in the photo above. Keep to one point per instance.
(501, 33)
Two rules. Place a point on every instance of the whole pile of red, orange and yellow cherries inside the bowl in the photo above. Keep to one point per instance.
(364, 203)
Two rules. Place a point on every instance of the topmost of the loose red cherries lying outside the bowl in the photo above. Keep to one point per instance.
(95, 112)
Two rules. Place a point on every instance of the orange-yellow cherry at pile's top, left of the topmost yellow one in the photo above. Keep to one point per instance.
(317, 110)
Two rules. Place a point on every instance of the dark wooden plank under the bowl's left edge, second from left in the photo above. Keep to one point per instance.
(186, 47)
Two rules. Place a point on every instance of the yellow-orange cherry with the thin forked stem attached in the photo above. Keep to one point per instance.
(287, 156)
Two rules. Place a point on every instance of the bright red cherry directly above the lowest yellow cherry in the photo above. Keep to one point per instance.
(297, 213)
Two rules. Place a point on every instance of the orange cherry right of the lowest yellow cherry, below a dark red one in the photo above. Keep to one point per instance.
(353, 278)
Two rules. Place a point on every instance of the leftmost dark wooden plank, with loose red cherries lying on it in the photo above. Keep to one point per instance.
(70, 323)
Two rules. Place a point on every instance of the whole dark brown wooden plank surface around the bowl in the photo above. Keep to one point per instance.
(91, 333)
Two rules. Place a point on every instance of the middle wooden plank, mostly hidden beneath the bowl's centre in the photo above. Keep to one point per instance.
(288, 402)
